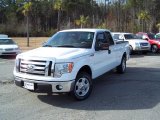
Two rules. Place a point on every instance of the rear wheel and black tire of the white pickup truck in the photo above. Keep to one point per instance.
(122, 67)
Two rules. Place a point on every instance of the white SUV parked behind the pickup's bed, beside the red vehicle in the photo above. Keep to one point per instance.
(135, 43)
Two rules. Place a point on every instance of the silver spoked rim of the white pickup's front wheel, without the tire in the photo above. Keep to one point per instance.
(82, 86)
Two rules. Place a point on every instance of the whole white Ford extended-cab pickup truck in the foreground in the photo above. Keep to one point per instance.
(70, 60)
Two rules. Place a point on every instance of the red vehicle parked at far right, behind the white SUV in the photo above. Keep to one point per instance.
(150, 37)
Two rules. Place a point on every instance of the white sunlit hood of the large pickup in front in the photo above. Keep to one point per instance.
(54, 52)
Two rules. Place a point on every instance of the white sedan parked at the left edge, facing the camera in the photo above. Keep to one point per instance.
(8, 46)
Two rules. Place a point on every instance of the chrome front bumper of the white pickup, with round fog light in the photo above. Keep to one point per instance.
(57, 86)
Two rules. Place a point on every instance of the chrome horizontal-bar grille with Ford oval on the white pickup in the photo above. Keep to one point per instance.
(36, 67)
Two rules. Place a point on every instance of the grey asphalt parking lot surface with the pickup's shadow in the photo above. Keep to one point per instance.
(134, 95)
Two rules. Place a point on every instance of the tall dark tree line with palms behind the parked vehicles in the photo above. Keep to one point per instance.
(45, 17)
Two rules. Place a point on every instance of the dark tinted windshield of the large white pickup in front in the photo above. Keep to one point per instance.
(76, 39)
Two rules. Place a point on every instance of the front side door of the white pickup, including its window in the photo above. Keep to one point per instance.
(103, 59)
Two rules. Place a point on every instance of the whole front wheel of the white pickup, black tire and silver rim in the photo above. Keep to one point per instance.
(83, 86)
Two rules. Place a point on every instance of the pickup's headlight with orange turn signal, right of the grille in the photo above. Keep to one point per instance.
(62, 68)
